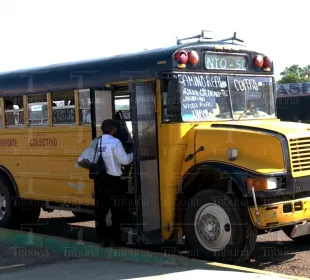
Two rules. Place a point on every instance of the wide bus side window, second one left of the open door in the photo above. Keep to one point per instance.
(63, 107)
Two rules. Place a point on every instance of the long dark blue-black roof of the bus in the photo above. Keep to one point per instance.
(96, 72)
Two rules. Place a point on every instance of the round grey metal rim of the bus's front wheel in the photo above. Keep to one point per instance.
(212, 227)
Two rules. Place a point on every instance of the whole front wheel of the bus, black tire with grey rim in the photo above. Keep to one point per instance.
(218, 227)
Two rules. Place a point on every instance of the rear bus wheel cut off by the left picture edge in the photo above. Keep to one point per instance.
(9, 213)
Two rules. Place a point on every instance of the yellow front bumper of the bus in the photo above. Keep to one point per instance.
(280, 214)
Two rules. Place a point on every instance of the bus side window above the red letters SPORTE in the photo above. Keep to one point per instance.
(14, 111)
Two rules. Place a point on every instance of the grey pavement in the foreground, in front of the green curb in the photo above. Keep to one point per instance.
(16, 263)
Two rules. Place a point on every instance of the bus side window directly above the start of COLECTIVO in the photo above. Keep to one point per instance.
(37, 110)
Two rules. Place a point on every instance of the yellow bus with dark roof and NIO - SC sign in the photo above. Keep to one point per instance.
(212, 162)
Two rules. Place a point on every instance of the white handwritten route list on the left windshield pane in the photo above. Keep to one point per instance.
(200, 93)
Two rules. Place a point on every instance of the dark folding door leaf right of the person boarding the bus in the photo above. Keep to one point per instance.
(146, 183)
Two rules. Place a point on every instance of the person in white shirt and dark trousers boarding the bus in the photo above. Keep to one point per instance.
(108, 190)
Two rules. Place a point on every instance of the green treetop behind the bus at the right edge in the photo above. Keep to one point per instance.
(295, 74)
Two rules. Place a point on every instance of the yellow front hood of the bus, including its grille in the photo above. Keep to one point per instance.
(257, 151)
